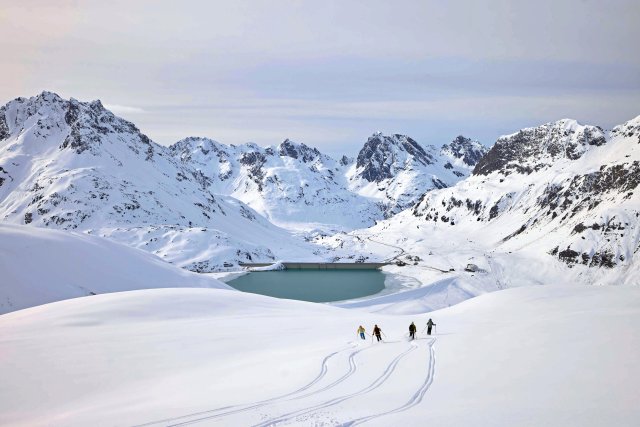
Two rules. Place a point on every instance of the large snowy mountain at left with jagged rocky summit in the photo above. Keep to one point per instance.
(74, 165)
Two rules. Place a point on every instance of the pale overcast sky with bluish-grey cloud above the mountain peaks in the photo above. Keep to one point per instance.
(329, 73)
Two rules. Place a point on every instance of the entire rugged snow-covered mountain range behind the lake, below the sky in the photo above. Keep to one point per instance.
(201, 204)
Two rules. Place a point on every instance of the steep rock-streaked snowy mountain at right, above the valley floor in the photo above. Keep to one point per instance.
(558, 189)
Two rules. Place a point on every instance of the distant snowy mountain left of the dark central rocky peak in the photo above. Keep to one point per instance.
(290, 184)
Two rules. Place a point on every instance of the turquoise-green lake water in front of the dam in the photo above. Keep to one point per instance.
(312, 285)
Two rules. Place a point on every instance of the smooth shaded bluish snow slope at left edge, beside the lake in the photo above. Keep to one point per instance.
(41, 266)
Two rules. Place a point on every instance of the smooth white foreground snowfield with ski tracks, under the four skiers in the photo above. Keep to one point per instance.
(532, 356)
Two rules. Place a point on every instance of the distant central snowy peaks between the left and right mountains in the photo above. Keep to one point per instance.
(299, 187)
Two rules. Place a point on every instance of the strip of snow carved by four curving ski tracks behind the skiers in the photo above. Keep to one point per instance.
(348, 380)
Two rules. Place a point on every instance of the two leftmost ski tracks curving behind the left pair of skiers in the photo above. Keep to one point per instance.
(234, 409)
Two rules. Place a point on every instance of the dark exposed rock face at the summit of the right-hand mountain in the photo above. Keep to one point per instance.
(533, 149)
